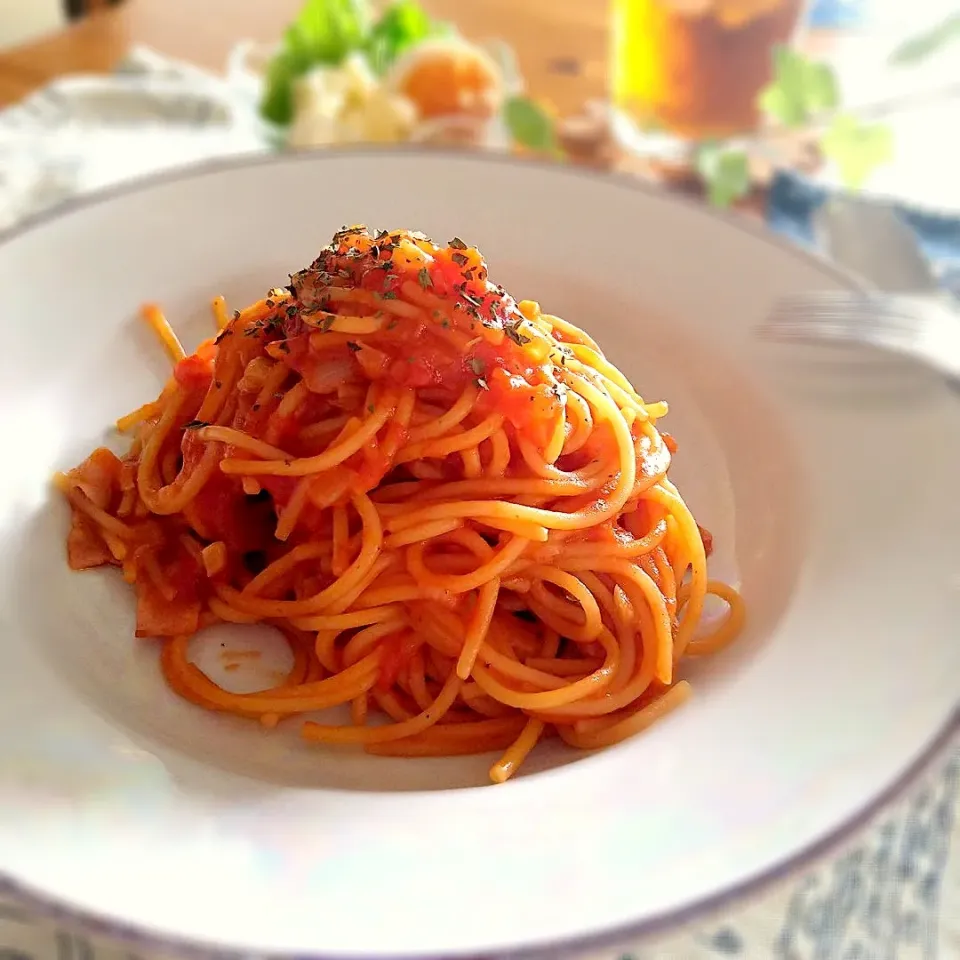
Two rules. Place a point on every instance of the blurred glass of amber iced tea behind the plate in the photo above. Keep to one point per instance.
(694, 68)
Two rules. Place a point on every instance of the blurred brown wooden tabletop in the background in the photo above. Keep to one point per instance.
(549, 36)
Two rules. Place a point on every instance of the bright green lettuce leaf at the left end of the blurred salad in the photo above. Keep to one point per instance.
(324, 32)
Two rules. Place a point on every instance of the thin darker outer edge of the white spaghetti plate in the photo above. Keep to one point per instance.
(937, 748)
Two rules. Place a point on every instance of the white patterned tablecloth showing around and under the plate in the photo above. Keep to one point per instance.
(891, 893)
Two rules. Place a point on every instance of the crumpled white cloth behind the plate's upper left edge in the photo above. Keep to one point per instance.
(82, 133)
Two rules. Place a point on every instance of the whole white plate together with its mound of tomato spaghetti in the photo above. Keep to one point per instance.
(399, 545)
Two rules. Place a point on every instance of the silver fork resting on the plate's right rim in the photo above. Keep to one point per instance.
(920, 328)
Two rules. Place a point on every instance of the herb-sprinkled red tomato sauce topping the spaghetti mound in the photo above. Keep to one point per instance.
(466, 330)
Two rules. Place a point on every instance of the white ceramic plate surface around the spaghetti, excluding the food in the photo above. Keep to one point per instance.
(832, 500)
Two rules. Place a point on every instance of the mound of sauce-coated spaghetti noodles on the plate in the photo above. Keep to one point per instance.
(453, 506)
